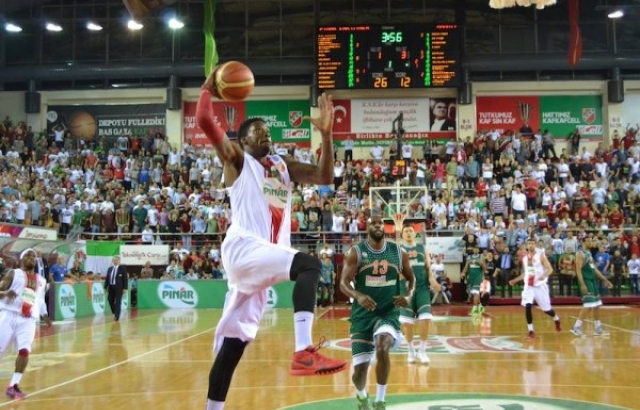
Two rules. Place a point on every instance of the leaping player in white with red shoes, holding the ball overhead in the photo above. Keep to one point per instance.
(256, 251)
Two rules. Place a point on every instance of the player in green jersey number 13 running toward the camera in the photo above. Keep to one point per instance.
(374, 266)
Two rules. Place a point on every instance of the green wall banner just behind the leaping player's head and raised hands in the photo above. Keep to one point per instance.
(284, 119)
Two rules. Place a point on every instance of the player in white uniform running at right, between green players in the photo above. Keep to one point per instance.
(535, 271)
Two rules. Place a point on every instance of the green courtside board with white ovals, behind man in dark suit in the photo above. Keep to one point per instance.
(82, 299)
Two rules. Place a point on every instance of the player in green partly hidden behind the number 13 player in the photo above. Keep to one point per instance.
(420, 305)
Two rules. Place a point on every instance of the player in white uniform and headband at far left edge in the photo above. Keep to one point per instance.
(21, 303)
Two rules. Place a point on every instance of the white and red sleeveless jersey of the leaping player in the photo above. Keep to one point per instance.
(261, 200)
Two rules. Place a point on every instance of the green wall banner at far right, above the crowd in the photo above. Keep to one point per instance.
(561, 115)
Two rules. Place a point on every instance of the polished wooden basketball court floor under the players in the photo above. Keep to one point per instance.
(161, 360)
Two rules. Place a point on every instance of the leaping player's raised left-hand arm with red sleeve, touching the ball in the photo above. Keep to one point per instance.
(226, 150)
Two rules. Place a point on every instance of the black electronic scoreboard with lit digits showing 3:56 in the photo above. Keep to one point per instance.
(387, 56)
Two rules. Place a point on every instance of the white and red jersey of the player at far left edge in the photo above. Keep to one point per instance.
(28, 300)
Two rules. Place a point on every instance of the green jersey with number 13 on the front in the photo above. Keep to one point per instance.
(378, 274)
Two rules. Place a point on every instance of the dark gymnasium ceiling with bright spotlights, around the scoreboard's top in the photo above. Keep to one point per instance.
(284, 29)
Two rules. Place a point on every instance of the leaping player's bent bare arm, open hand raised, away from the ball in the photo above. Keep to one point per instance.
(322, 173)
